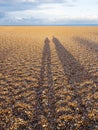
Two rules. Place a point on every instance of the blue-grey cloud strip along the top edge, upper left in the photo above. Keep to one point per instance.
(17, 5)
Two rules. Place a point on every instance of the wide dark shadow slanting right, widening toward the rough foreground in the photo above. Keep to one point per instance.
(74, 71)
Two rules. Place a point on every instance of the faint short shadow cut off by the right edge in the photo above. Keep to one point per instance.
(89, 44)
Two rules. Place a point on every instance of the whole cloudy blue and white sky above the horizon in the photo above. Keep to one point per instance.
(48, 12)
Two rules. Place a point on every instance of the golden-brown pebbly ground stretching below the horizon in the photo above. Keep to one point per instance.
(48, 78)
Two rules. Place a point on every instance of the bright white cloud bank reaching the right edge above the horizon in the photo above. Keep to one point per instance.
(49, 14)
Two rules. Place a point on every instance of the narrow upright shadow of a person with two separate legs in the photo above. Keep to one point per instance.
(45, 74)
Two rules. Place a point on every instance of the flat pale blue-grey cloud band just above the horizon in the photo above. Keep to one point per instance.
(39, 21)
